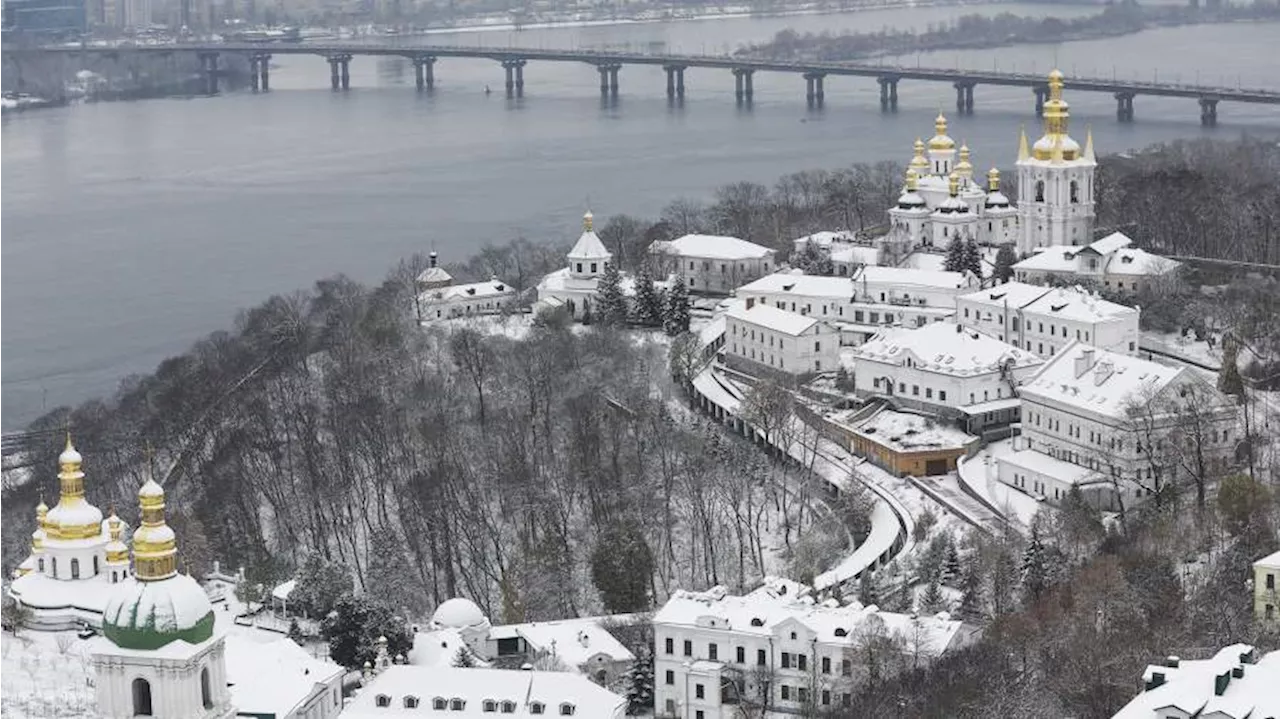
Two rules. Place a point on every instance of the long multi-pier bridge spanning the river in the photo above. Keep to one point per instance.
(609, 65)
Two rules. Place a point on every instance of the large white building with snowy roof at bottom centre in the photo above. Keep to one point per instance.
(715, 652)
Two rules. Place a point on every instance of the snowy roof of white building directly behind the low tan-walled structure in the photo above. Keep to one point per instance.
(944, 347)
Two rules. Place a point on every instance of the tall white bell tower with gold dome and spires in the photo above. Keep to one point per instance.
(1055, 181)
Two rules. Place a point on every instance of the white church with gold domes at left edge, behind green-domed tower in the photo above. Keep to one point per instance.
(76, 558)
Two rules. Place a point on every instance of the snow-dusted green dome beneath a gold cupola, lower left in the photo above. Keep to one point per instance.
(150, 615)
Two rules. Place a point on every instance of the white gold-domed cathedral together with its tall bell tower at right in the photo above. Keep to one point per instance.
(943, 199)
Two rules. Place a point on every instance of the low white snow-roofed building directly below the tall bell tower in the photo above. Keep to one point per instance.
(1109, 263)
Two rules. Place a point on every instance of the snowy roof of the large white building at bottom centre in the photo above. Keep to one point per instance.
(766, 616)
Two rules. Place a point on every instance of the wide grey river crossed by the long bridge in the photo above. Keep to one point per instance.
(129, 231)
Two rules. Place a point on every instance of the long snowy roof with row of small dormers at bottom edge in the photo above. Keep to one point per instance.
(474, 688)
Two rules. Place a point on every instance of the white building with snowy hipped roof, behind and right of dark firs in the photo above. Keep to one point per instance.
(714, 265)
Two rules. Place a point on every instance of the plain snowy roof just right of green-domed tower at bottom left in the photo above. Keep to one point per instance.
(273, 679)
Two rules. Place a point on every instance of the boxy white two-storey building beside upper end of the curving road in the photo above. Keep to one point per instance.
(783, 341)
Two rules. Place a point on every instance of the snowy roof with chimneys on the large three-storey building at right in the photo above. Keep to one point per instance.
(1098, 381)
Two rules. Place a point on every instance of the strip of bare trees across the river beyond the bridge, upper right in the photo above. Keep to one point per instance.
(1004, 29)
